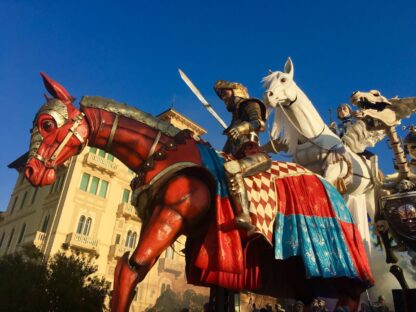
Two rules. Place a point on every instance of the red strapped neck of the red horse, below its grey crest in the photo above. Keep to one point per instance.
(130, 140)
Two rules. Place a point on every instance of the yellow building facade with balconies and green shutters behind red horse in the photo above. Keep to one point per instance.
(88, 209)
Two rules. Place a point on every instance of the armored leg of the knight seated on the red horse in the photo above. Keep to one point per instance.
(235, 171)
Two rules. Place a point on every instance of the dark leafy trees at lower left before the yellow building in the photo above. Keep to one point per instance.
(63, 283)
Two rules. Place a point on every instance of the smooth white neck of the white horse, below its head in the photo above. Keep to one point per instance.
(305, 117)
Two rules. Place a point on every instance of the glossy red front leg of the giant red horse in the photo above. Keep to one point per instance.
(183, 202)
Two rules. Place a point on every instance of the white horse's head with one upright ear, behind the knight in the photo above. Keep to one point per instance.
(280, 87)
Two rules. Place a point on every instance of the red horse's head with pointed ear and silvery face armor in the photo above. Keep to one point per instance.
(59, 132)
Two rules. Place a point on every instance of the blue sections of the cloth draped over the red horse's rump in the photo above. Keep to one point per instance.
(318, 240)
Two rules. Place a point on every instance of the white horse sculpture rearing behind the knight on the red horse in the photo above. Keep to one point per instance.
(313, 145)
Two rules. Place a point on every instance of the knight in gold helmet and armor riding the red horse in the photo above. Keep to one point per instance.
(248, 119)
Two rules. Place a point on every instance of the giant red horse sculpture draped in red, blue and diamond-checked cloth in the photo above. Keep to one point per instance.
(180, 190)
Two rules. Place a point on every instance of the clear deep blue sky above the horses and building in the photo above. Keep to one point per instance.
(131, 51)
